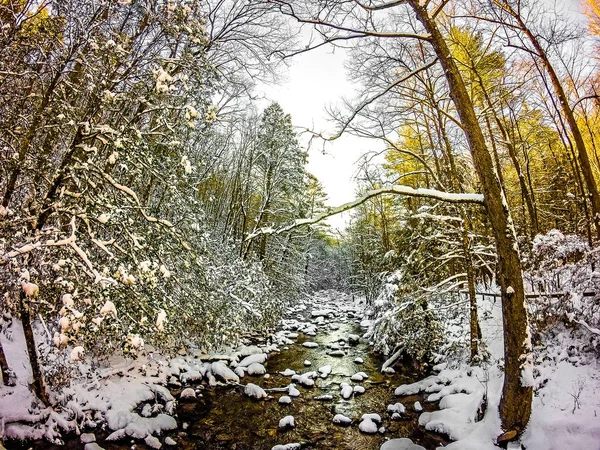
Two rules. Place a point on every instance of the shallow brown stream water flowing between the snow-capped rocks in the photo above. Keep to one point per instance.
(224, 418)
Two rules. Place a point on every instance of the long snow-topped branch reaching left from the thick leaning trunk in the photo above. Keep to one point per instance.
(449, 197)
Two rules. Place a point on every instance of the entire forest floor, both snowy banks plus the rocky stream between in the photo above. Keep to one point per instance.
(313, 369)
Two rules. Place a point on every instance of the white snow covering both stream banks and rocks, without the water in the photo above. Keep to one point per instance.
(133, 400)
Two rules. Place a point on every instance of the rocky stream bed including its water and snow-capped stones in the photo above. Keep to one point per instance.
(342, 382)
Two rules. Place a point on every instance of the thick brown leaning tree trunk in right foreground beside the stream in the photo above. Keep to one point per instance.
(515, 405)
